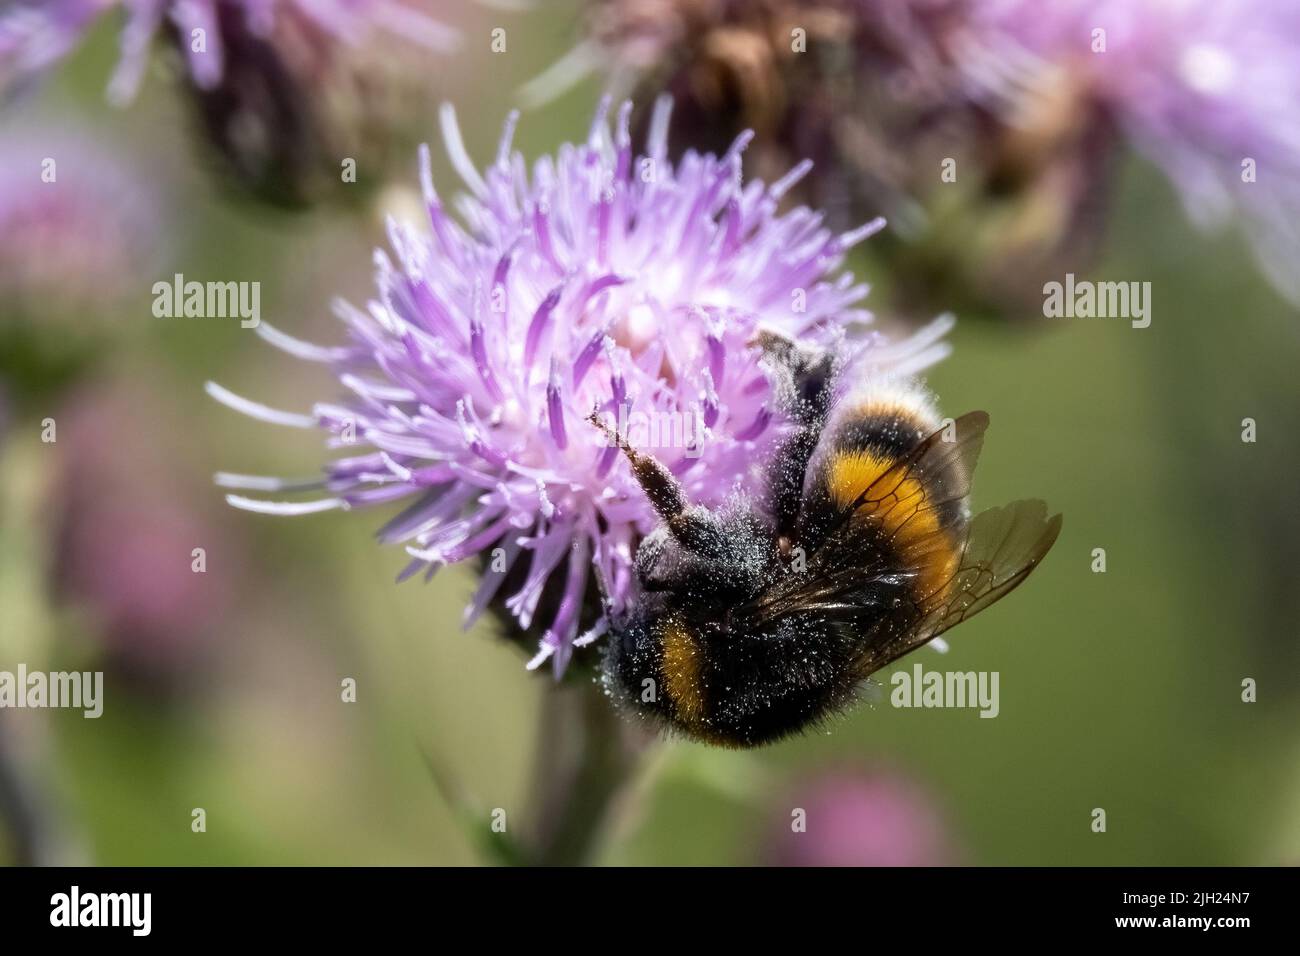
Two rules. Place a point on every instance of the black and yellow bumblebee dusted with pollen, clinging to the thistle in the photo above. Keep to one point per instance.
(764, 617)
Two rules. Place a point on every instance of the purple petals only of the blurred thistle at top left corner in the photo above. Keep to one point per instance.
(36, 34)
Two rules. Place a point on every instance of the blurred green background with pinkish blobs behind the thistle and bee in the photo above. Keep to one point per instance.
(1119, 691)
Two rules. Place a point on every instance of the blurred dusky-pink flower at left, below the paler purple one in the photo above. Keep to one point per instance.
(124, 548)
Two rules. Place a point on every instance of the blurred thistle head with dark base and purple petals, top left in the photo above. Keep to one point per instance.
(285, 89)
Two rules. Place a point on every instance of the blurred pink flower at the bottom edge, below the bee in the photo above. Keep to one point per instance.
(857, 819)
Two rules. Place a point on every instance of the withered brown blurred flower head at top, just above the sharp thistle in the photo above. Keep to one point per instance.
(853, 86)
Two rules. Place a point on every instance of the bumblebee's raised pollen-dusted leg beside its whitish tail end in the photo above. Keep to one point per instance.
(803, 380)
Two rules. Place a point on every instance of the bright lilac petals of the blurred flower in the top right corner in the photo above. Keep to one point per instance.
(1199, 86)
